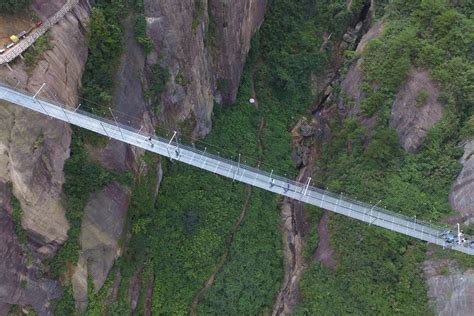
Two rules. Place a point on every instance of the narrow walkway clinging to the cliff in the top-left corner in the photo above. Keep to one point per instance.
(24, 44)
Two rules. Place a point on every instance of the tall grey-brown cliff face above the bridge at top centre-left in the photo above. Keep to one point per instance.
(203, 44)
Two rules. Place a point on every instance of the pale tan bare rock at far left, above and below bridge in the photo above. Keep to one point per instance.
(33, 148)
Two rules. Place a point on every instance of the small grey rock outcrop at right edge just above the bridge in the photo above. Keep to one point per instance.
(461, 196)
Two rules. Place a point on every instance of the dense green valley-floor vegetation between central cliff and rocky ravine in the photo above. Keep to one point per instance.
(192, 234)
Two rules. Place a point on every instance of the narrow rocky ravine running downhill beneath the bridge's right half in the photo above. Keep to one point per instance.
(293, 224)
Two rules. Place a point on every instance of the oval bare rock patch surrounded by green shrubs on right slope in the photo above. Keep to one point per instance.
(416, 109)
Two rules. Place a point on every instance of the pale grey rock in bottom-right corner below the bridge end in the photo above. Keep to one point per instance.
(451, 290)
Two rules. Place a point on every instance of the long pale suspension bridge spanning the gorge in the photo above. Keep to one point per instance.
(303, 192)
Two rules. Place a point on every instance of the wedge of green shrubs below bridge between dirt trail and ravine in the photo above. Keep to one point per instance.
(247, 283)
